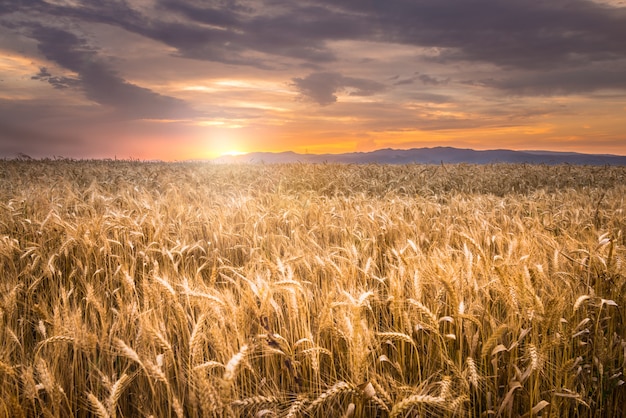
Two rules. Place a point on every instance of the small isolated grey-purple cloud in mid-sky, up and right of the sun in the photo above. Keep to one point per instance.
(322, 87)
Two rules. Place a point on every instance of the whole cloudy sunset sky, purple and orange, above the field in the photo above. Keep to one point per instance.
(190, 79)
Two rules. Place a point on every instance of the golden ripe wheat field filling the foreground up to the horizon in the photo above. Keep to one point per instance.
(136, 289)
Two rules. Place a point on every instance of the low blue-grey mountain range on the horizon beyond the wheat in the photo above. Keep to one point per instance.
(435, 155)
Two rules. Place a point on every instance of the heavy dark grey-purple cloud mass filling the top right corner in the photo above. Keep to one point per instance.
(530, 34)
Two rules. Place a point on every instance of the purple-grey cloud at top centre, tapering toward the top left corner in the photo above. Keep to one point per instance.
(230, 32)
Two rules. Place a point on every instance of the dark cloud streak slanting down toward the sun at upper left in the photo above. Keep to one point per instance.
(99, 82)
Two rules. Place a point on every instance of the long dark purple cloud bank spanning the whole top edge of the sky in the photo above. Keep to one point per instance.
(530, 34)
